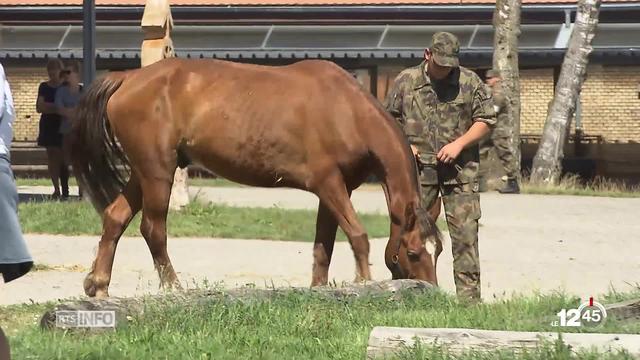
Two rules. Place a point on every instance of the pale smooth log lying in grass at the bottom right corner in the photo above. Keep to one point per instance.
(385, 341)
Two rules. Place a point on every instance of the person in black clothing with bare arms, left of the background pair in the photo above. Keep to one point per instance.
(49, 137)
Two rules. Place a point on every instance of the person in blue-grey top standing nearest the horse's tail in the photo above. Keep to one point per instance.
(66, 99)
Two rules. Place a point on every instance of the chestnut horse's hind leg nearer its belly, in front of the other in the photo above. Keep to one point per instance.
(155, 206)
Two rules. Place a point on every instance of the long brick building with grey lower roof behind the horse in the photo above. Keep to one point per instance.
(374, 39)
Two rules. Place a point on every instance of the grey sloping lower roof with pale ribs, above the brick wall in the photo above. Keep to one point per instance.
(548, 41)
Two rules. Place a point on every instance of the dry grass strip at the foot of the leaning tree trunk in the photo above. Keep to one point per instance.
(572, 185)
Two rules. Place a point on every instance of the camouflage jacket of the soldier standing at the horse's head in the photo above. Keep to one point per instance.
(434, 114)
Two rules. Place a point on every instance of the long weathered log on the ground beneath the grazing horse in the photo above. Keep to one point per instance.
(125, 308)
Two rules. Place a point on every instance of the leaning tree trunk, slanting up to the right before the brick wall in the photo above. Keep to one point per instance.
(547, 163)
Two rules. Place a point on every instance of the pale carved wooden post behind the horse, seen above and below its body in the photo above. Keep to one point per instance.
(157, 23)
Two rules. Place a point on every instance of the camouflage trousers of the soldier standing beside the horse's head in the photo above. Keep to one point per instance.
(462, 211)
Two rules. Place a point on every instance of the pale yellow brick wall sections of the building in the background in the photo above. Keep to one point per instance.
(610, 104)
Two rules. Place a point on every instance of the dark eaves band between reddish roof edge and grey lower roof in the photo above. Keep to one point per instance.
(610, 12)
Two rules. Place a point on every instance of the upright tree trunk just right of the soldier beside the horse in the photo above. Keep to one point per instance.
(506, 24)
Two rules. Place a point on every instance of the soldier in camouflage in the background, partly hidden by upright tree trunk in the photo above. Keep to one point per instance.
(499, 138)
